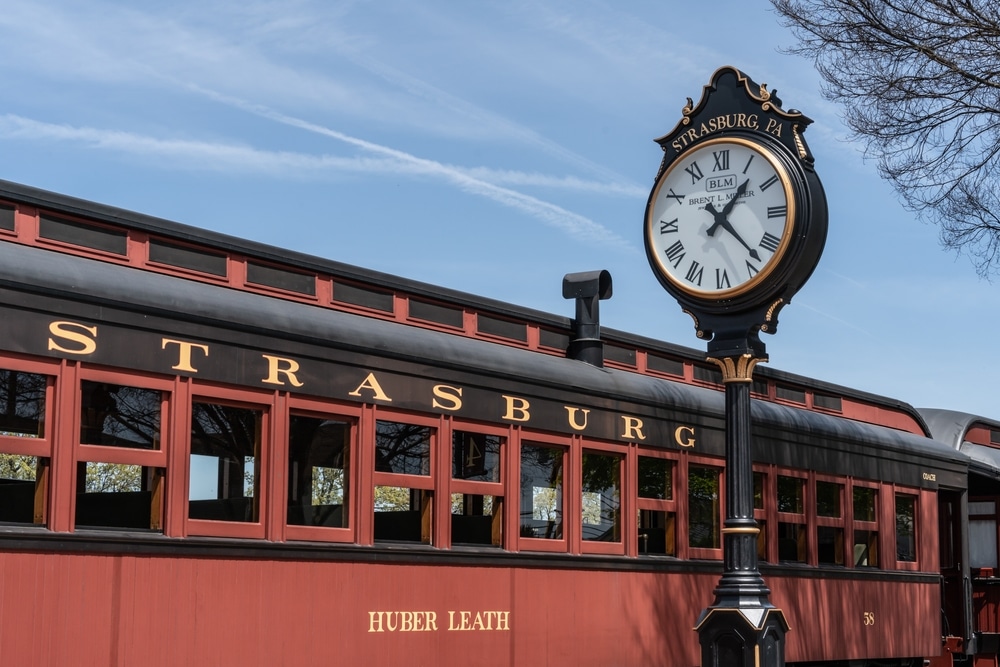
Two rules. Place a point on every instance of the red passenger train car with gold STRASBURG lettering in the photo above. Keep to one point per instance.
(217, 452)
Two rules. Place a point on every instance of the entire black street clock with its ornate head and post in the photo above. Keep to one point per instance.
(735, 225)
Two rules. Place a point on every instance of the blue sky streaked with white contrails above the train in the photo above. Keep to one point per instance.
(490, 147)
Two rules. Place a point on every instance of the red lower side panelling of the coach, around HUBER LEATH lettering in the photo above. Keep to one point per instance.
(160, 611)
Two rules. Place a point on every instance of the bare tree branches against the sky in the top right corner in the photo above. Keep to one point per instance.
(919, 81)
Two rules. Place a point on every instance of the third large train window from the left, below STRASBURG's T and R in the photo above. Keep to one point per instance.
(225, 463)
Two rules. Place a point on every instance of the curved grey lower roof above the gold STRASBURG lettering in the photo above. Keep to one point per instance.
(28, 273)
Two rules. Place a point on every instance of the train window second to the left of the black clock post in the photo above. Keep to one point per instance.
(657, 515)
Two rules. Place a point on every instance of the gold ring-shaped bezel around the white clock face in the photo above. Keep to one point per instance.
(784, 176)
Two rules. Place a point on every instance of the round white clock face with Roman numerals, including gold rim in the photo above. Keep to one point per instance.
(720, 218)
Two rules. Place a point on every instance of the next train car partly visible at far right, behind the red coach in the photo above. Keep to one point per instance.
(971, 585)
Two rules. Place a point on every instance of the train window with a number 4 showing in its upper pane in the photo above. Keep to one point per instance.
(477, 508)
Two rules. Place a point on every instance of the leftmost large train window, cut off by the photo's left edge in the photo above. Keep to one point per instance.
(23, 472)
